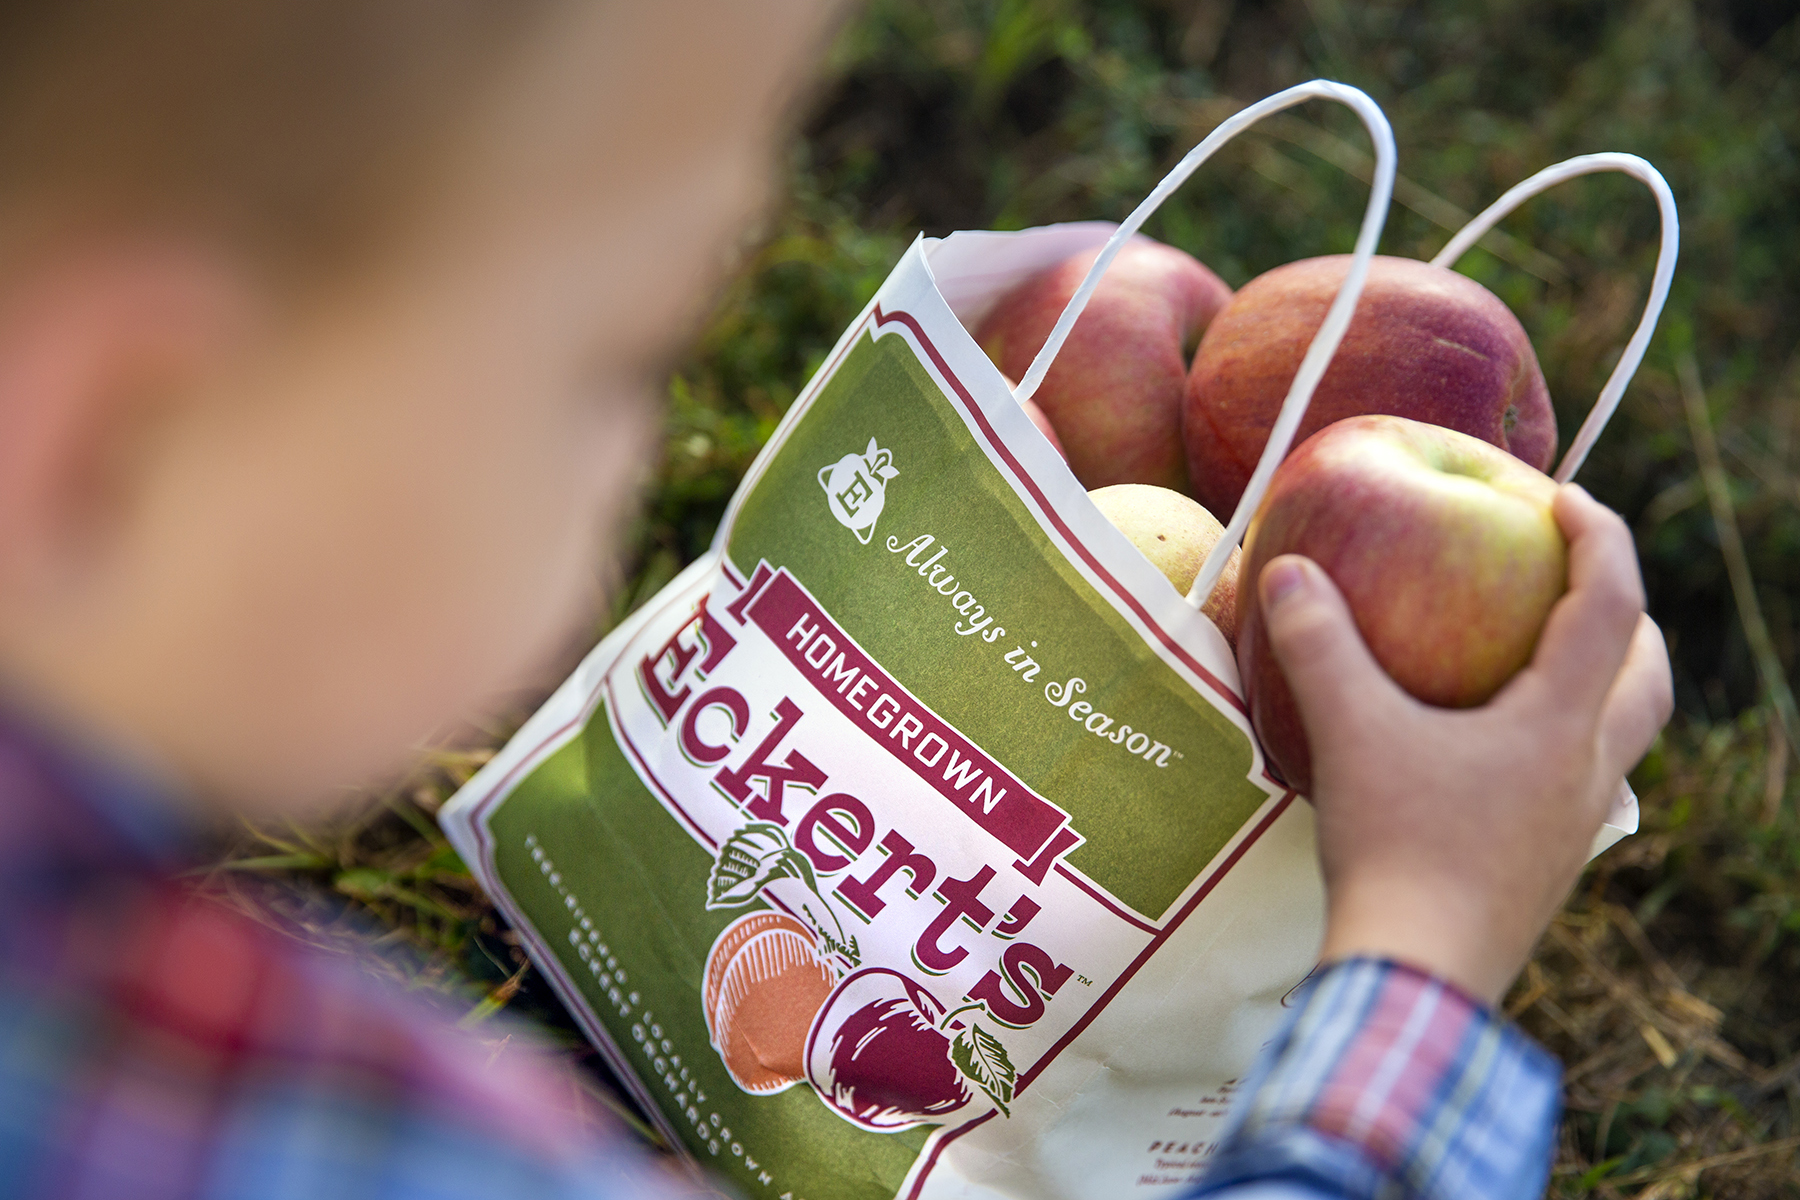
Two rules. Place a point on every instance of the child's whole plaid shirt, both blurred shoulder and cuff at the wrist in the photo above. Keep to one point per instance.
(156, 1044)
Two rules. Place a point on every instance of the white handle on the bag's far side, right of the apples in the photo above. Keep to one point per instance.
(1653, 307)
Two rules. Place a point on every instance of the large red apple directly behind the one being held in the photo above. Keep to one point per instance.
(1425, 345)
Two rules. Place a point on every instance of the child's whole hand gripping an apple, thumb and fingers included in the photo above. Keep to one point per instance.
(1452, 837)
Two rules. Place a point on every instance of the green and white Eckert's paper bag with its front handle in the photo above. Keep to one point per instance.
(913, 841)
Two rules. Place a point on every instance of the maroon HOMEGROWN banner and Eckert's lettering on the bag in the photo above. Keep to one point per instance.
(840, 828)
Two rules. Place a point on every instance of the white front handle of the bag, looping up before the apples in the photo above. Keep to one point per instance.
(1324, 343)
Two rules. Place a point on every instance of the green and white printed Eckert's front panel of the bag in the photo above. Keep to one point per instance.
(861, 827)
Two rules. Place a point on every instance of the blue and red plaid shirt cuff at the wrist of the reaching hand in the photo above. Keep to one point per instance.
(1392, 1084)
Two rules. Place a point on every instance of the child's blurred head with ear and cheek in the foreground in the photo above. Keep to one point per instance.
(328, 346)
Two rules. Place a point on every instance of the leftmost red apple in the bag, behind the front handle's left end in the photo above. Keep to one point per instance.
(1117, 386)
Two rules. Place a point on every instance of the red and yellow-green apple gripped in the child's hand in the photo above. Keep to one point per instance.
(1443, 546)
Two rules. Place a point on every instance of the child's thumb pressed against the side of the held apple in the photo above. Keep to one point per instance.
(1317, 641)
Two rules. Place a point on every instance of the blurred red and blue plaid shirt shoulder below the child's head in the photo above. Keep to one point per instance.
(156, 1044)
